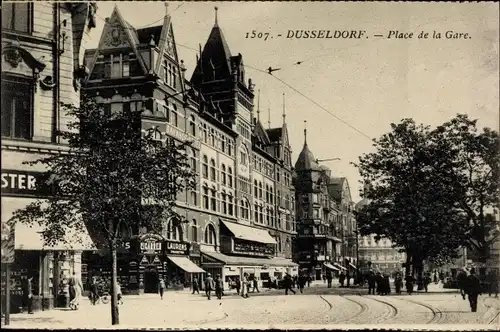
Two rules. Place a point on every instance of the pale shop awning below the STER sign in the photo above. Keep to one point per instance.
(30, 238)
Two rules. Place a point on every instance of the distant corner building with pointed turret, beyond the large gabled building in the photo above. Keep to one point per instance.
(325, 222)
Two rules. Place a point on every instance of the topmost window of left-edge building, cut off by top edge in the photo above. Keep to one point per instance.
(17, 16)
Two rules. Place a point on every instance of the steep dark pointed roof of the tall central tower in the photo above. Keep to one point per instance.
(215, 58)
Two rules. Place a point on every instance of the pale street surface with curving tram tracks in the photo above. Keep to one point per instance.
(317, 306)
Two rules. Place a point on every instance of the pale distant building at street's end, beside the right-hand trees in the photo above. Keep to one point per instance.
(378, 255)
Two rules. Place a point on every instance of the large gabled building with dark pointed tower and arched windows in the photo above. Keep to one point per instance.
(240, 216)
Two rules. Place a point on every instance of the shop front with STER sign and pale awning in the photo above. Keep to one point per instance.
(49, 266)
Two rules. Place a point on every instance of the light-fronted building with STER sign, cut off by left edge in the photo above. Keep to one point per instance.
(42, 65)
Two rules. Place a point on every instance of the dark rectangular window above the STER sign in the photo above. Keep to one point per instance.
(17, 109)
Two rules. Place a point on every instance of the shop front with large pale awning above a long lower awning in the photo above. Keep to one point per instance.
(246, 249)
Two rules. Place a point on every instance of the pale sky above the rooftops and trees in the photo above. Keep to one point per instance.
(348, 90)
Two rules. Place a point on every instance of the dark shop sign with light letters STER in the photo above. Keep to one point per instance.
(25, 183)
